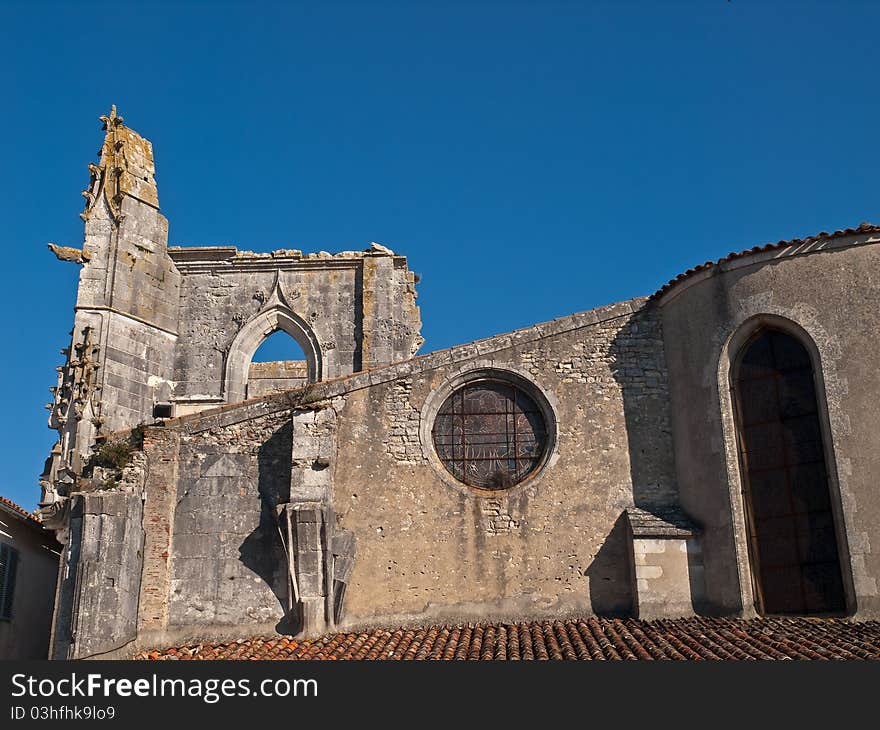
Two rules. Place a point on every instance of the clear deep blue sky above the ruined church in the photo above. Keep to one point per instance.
(531, 159)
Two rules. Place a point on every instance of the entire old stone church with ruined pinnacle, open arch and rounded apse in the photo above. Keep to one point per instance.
(709, 450)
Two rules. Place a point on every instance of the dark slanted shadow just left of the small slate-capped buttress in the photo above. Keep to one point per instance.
(611, 584)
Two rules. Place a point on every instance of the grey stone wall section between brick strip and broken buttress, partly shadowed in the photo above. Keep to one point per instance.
(228, 566)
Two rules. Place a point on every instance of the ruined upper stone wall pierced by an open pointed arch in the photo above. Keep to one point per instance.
(358, 310)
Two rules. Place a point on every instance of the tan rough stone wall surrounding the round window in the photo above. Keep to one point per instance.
(428, 549)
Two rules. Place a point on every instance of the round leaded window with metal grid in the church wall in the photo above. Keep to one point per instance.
(490, 434)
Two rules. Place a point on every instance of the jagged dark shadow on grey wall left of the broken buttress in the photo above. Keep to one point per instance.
(262, 551)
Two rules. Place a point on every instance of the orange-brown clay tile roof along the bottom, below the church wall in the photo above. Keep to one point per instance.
(589, 638)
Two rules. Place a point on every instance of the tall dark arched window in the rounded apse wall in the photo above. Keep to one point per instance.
(792, 537)
